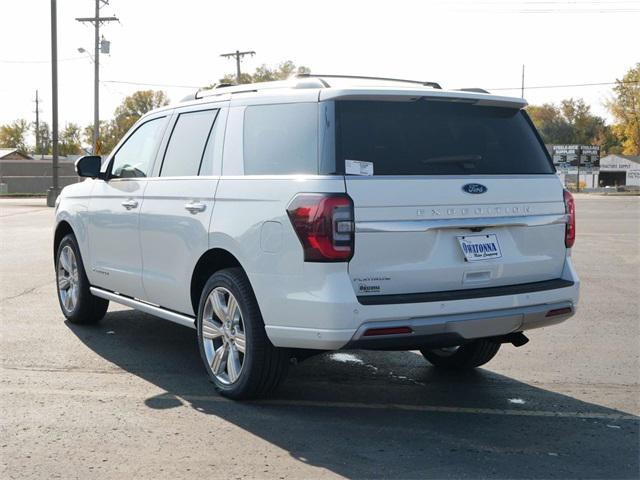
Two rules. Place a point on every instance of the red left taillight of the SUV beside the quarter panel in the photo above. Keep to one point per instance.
(324, 224)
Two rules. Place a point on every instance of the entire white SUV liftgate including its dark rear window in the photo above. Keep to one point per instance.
(448, 195)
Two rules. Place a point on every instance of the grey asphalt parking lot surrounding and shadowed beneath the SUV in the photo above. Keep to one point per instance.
(129, 398)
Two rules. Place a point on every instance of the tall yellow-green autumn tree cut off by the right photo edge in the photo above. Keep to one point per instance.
(625, 108)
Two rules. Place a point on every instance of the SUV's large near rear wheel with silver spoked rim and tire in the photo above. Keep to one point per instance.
(239, 358)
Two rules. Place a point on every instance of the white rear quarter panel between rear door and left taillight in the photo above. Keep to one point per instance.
(250, 221)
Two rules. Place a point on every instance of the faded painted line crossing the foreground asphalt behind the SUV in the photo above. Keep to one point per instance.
(328, 404)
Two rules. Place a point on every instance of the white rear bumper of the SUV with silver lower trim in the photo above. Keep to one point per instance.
(321, 311)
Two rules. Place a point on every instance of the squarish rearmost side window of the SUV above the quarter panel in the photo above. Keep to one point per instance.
(281, 139)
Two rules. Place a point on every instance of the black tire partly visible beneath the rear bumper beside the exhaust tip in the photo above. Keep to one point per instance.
(467, 356)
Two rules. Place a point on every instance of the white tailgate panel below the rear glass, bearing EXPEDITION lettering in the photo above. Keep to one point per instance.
(409, 232)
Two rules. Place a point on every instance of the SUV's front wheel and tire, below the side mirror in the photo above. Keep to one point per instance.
(77, 303)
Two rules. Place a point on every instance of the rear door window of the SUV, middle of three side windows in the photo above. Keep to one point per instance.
(187, 144)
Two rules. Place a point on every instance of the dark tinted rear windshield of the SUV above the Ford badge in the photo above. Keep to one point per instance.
(426, 137)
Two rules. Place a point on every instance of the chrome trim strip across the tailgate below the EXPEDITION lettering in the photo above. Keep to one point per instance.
(459, 223)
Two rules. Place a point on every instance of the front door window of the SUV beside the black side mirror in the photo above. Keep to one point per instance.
(135, 157)
